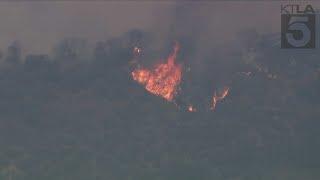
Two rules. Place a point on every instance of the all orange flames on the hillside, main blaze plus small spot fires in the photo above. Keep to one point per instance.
(163, 79)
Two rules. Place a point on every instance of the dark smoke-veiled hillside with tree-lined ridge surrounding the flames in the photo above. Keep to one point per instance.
(71, 115)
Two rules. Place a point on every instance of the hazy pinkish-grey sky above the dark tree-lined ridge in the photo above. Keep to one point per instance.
(39, 25)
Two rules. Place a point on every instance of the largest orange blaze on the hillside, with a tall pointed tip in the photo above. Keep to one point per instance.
(163, 79)
